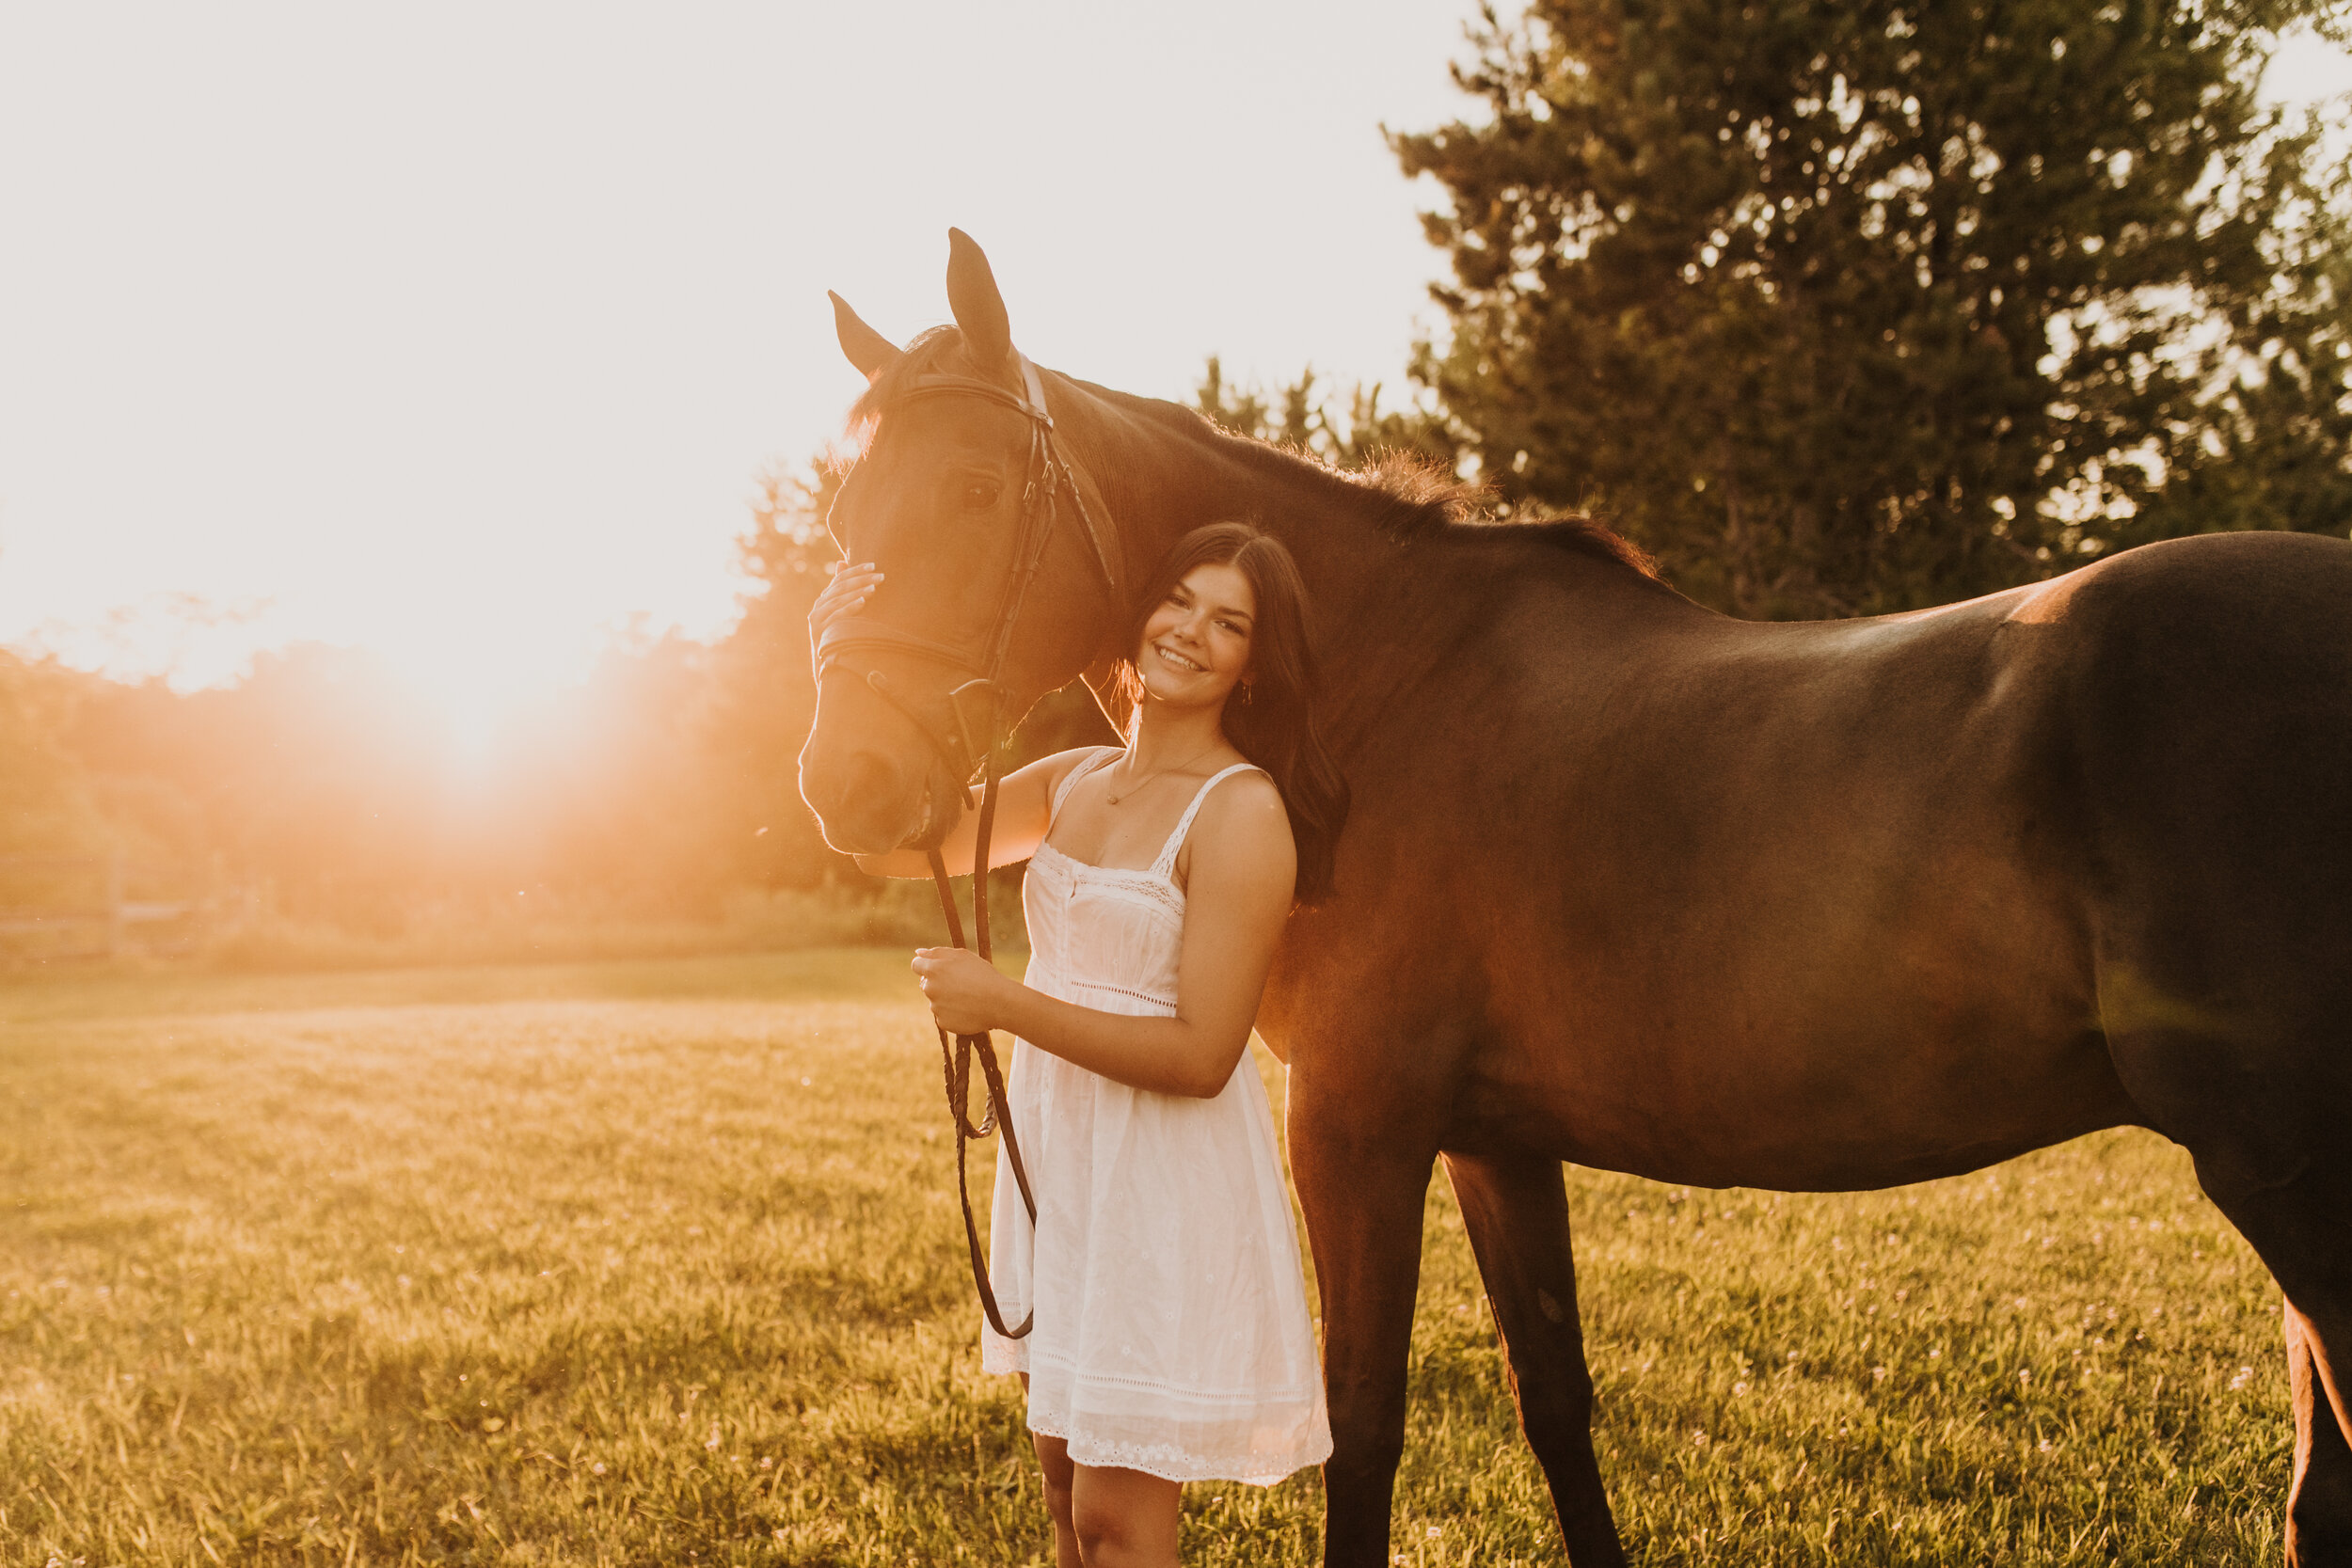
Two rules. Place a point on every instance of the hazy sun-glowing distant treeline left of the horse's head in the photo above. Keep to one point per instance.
(319, 789)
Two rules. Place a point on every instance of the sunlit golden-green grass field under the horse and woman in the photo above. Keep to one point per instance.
(660, 1264)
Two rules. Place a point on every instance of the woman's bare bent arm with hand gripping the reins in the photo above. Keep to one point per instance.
(1243, 866)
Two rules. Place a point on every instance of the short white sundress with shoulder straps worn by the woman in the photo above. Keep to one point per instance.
(1172, 1325)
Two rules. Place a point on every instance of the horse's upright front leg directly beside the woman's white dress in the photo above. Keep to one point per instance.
(1363, 1179)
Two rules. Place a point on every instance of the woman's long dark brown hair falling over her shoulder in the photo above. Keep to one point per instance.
(1271, 721)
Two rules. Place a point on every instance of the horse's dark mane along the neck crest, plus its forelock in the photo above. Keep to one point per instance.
(1412, 497)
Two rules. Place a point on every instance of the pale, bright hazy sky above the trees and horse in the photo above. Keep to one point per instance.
(462, 330)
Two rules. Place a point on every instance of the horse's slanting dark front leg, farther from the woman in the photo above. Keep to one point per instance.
(1516, 1209)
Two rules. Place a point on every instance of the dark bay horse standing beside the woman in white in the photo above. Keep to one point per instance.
(1633, 885)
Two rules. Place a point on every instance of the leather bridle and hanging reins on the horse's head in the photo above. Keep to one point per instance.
(977, 744)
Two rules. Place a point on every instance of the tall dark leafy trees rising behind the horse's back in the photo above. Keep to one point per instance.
(1847, 309)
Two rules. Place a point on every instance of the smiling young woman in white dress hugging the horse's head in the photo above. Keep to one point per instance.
(1172, 1336)
